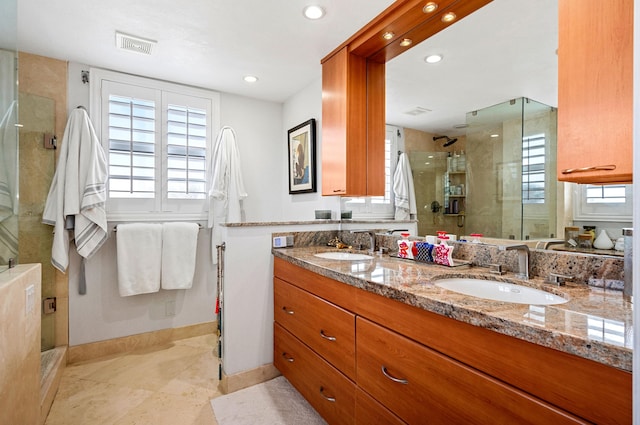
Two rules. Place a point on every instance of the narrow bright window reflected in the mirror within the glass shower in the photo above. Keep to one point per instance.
(533, 172)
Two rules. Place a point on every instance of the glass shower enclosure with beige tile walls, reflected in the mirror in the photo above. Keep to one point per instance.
(507, 188)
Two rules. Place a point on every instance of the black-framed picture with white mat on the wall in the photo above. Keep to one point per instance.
(302, 158)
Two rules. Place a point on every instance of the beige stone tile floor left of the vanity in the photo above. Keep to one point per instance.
(170, 384)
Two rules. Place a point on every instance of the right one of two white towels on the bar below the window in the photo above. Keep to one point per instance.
(179, 244)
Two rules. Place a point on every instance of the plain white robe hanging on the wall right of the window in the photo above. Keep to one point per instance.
(227, 187)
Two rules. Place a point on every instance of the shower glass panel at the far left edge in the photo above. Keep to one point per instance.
(8, 134)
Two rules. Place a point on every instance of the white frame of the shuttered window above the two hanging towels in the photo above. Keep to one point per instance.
(161, 208)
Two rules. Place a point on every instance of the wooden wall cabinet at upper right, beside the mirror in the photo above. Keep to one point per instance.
(595, 91)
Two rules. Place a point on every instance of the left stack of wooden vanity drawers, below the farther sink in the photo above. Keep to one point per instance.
(314, 342)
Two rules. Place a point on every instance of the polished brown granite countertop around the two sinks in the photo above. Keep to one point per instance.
(595, 324)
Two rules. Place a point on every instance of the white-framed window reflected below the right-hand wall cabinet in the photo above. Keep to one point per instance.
(603, 203)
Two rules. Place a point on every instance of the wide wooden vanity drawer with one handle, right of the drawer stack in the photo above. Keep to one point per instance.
(422, 386)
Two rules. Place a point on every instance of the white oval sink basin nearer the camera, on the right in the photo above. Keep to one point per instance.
(500, 291)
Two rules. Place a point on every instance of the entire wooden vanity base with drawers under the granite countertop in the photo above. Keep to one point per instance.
(447, 363)
